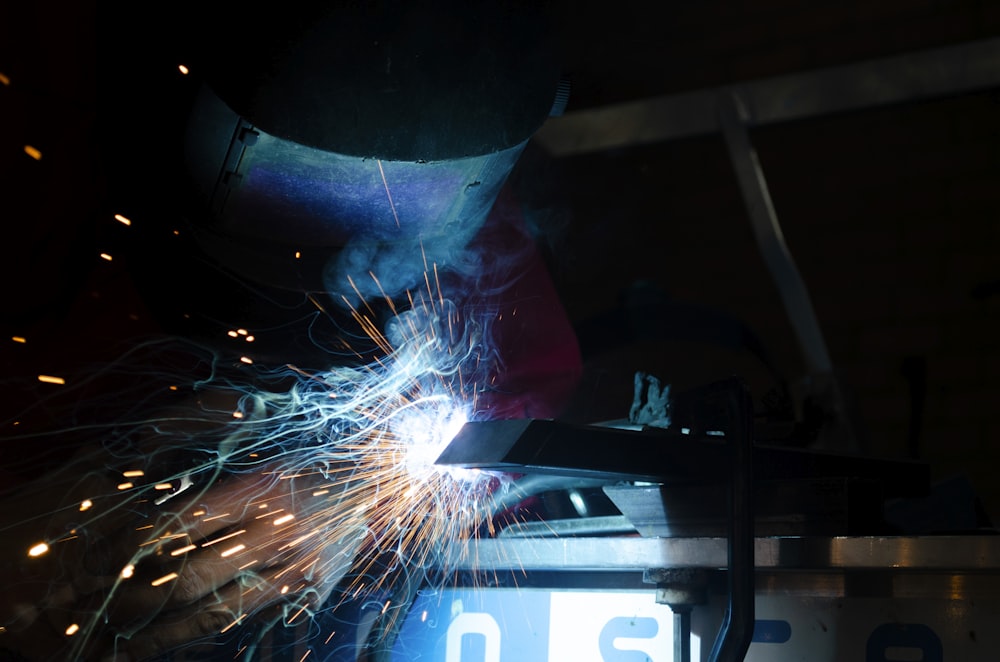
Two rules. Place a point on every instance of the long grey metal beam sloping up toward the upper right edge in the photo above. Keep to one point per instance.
(961, 69)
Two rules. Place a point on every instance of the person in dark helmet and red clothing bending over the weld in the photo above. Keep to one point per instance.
(322, 157)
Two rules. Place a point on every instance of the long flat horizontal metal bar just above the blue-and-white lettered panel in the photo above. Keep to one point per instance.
(959, 553)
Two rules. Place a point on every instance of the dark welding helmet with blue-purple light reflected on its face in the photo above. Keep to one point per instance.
(341, 149)
